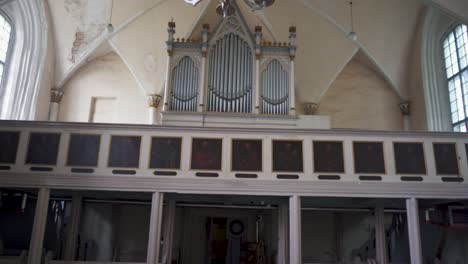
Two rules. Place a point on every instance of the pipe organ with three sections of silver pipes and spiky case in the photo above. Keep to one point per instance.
(230, 70)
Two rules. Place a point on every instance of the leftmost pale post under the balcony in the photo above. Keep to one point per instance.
(39, 225)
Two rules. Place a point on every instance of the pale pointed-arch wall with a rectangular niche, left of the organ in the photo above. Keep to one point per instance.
(107, 76)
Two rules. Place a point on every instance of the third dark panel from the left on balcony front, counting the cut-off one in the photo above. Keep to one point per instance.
(83, 150)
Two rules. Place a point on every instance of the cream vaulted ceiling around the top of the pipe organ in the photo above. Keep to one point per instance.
(386, 31)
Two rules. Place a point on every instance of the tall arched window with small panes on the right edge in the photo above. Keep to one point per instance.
(456, 64)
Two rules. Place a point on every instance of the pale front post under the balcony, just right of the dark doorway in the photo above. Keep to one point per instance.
(295, 244)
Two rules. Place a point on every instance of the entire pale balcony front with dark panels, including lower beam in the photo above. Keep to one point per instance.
(244, 161)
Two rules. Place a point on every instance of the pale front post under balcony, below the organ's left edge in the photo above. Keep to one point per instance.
(154, 240)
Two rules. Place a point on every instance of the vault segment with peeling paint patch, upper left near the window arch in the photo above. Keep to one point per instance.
(91, 18)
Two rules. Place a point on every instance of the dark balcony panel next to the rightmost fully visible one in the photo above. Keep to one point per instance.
(409, 158)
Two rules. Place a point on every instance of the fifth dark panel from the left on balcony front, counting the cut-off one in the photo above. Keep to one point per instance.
(165, 153)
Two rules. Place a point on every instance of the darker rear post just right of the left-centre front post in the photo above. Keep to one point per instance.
(168, 237)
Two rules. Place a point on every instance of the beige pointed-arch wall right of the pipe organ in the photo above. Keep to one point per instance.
(360, 98)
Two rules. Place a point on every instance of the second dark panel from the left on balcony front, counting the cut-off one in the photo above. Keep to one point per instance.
(43, 148)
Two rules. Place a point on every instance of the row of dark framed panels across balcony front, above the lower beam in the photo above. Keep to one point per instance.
(235, 153)
